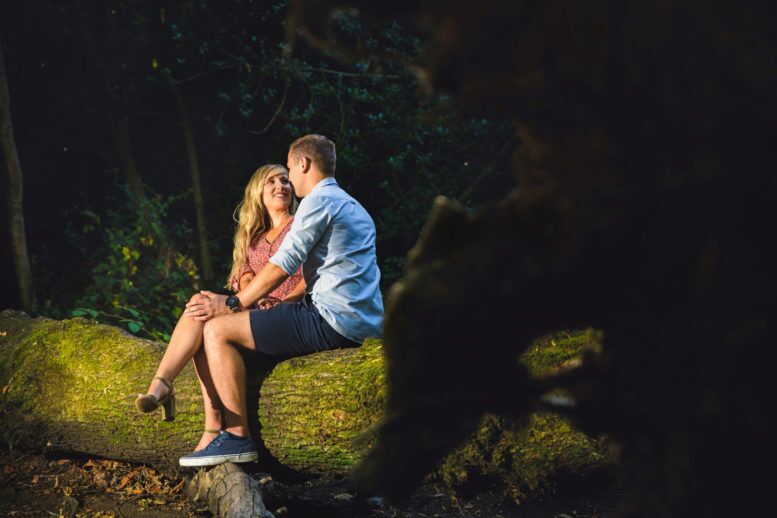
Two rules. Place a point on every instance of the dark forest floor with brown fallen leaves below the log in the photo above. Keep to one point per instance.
(36, 485)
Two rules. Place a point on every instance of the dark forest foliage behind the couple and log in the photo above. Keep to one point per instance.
(99, 249)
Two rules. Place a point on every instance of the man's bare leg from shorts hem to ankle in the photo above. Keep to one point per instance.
(223, 338)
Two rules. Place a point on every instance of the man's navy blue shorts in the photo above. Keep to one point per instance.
(294, 329)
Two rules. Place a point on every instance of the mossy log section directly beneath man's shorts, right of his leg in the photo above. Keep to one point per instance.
(312, 409)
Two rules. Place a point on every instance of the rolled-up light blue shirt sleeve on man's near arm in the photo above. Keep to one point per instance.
(310, 223)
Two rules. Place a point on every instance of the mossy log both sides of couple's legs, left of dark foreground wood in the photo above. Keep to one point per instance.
(70, 385)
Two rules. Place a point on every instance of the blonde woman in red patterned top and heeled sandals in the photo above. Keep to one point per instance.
(265, 216)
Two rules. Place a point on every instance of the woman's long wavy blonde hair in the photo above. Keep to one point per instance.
(252, 217)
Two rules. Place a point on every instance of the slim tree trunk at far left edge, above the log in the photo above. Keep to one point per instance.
(15, 193)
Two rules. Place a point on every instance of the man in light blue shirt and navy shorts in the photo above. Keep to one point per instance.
(333, 238)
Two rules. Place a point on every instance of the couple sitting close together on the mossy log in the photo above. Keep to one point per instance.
(304, 283)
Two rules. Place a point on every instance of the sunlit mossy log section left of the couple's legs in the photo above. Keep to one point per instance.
(70, 385)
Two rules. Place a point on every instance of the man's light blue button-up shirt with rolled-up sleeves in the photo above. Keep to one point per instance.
(333, 238)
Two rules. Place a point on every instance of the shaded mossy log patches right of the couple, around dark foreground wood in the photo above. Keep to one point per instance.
(546, 452)
